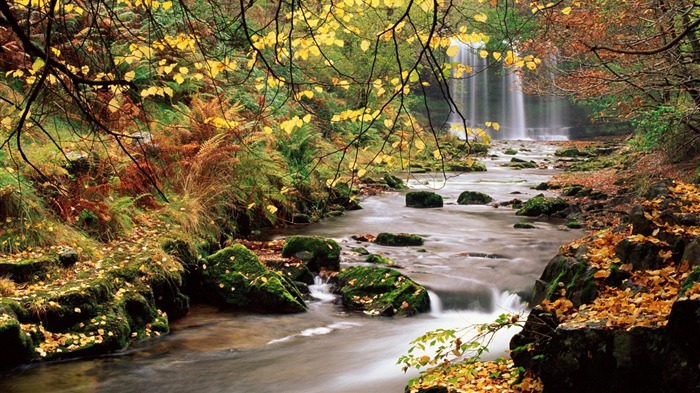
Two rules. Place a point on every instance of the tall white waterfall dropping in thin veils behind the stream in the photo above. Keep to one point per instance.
(494, 93)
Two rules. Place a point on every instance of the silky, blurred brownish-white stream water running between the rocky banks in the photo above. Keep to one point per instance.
(474, 263)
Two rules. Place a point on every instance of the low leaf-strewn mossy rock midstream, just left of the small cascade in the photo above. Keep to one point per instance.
(381, 291)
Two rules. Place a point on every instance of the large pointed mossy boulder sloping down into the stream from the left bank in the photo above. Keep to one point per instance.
(240, 280)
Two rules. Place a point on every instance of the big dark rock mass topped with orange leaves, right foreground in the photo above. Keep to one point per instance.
(619, 311)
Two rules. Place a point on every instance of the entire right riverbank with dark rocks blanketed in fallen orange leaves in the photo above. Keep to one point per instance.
(616, 311)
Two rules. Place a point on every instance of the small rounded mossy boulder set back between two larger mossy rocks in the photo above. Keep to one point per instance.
(316, 252)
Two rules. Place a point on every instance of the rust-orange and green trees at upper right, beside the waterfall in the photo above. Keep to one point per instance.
(637, 60)
